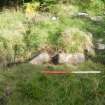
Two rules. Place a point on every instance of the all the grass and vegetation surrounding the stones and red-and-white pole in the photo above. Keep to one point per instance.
(51, 25)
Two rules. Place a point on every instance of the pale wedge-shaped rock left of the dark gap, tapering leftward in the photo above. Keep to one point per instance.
(41, 59)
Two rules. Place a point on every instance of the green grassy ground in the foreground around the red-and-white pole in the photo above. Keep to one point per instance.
(26, 85)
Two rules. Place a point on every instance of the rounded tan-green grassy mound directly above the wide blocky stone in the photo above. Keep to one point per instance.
(73, 40)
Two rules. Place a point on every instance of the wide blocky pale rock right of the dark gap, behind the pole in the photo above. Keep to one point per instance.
(71, 58)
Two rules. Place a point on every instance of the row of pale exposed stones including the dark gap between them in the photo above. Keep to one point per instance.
(59, 58)
